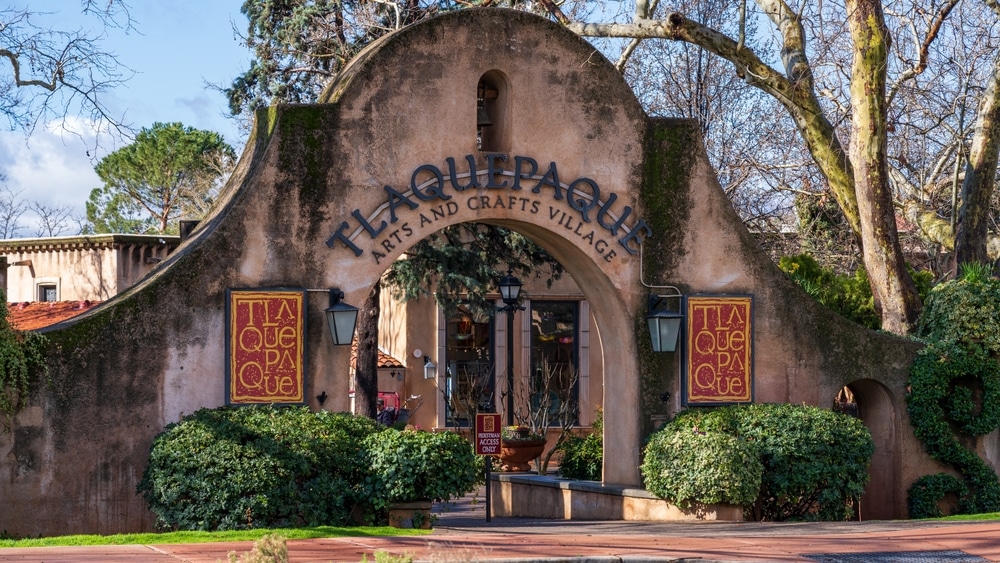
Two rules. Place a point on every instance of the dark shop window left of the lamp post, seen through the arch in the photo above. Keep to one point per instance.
(469, 381)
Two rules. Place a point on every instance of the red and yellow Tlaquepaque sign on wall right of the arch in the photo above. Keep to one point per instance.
(719, 350)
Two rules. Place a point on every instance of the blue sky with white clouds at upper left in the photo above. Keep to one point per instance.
(177, 47)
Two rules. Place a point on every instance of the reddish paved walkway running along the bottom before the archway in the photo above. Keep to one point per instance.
(462, 534)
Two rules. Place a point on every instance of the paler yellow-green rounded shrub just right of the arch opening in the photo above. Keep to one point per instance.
(685, 466)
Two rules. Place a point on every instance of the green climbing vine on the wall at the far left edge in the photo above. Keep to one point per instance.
(22, 363)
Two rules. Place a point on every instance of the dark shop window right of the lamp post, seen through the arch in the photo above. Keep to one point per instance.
(555, 376)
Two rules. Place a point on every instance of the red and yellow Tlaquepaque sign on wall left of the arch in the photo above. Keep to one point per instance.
(265, 346)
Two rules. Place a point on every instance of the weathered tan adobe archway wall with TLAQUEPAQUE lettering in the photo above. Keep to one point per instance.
(327, 195)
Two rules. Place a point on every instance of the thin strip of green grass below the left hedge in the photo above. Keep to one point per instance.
(206, 537)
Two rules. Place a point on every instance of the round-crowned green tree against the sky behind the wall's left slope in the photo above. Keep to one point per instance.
(168, 170)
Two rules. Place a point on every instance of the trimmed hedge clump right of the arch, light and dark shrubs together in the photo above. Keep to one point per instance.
(815, 461)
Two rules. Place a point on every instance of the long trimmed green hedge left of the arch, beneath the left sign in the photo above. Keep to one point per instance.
(268, 467)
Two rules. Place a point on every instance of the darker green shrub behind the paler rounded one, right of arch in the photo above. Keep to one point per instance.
(815, 461)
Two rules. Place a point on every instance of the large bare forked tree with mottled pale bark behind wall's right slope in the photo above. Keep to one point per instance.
(795, 87)
